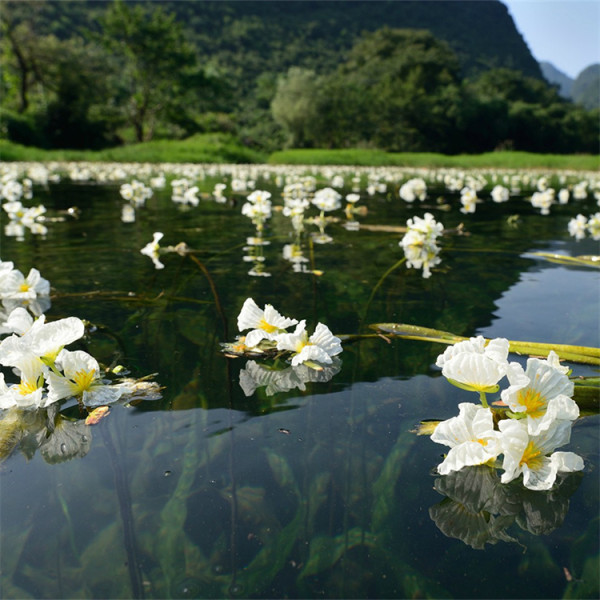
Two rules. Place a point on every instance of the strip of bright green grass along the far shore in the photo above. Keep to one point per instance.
(221, 148)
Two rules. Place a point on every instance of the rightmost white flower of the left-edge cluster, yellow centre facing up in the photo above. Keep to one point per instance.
(81, 380)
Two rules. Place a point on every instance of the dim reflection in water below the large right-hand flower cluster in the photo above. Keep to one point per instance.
(478, 509)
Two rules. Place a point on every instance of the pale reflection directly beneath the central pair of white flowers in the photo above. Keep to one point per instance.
(256, 375)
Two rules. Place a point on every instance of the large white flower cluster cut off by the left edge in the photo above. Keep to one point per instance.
(35, 349)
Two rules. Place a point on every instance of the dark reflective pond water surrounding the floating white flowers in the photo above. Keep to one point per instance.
(245, 477)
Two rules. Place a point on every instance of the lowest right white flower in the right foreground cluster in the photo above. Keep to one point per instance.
(527, 454)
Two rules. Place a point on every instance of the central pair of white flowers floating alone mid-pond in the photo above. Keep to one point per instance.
(268, 332)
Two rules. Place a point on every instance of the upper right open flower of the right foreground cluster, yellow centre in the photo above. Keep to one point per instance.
(543, 391)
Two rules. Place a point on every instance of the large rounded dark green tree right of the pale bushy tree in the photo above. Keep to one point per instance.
(399, 90)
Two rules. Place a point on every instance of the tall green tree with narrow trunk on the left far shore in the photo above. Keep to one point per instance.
(156, 65)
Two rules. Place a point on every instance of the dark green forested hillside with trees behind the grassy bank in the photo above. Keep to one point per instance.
(452, 76)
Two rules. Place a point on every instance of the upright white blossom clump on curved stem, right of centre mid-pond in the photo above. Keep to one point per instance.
(419, 243)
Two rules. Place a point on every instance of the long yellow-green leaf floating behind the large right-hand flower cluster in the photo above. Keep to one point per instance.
(582, 354)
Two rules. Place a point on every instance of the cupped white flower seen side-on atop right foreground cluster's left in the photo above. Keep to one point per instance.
(472, 365)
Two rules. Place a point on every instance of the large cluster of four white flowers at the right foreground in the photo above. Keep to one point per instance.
(536, 418)
